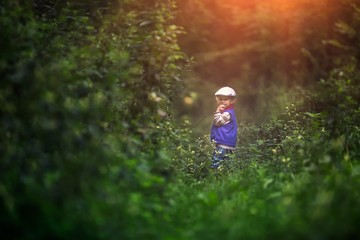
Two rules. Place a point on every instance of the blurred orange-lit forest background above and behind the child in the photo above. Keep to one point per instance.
(262, 49)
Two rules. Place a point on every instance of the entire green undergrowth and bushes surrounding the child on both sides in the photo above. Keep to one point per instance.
(90, 150)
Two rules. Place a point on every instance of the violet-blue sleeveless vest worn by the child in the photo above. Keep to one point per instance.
(225, 134)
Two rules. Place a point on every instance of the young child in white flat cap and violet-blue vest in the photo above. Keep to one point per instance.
(224, 127)
